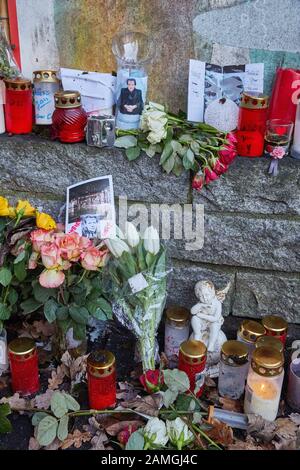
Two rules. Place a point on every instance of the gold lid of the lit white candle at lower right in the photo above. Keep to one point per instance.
(267, 361)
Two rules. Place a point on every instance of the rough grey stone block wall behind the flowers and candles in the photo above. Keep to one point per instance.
(252, 221)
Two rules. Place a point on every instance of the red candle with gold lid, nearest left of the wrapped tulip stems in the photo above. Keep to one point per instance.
(101, 369)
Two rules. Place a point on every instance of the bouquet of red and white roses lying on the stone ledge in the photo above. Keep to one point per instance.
(183, 145)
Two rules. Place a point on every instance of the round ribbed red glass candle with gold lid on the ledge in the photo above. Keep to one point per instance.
(69, 118)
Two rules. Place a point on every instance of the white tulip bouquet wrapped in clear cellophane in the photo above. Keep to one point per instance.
(138, 284)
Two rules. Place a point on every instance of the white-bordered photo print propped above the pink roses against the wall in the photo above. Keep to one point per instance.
(90, 208)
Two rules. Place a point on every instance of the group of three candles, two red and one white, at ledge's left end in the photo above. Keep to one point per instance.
(52, 106)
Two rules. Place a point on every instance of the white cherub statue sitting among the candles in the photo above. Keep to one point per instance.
(207, 316)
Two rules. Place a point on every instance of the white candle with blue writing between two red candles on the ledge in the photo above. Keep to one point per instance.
(46, 84)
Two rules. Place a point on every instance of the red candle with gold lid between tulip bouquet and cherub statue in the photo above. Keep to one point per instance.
(192, 360)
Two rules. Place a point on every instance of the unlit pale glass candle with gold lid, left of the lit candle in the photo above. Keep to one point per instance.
(233, 369)
